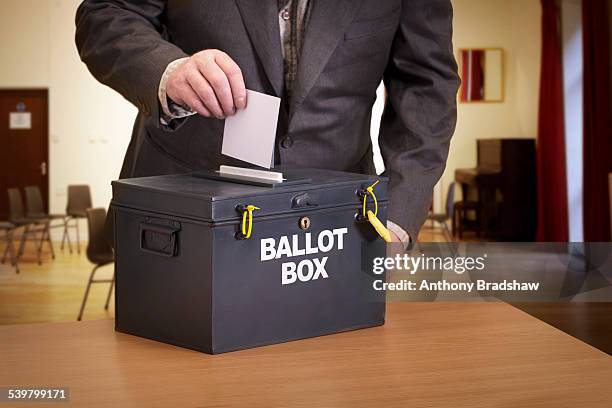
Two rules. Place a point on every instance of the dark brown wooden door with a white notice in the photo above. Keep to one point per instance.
(24, 143)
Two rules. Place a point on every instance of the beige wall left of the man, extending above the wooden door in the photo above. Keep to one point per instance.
(89, 124)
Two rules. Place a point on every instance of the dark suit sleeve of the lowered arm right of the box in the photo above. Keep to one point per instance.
(421, 109)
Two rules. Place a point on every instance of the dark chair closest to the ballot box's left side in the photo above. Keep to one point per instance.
(99, 252)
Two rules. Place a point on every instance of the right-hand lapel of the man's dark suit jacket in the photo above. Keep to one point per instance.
(328, 21)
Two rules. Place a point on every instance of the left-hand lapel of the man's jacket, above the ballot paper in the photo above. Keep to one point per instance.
(261, 20)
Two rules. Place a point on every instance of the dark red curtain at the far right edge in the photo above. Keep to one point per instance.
(597, 120)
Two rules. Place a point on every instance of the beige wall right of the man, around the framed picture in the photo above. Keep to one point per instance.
(515, 27)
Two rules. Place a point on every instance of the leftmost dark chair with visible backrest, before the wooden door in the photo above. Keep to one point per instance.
(31, 227)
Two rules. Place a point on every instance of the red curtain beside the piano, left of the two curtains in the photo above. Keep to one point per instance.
(552, 181)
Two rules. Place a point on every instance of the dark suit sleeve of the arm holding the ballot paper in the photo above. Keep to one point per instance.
(122, 44)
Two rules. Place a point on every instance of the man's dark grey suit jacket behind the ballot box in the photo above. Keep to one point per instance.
(349, 46)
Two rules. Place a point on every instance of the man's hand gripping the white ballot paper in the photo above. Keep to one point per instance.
(210, 83)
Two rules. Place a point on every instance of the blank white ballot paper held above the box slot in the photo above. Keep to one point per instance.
(249, 135)
